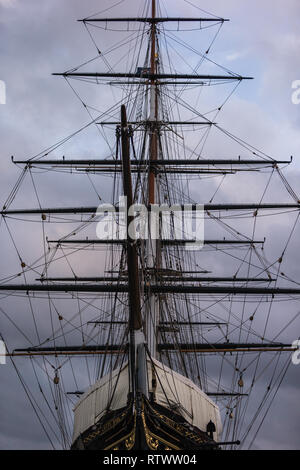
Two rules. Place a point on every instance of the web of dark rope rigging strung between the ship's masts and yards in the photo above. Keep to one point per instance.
(86, 319)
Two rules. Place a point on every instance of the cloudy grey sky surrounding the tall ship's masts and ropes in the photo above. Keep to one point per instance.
(39, 37)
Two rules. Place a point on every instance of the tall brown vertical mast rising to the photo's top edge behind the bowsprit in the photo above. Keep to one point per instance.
(151, 310)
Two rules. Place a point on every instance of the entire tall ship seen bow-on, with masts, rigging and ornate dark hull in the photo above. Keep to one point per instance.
(150, 309)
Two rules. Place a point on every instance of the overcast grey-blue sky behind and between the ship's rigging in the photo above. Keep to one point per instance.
(41, 37)
